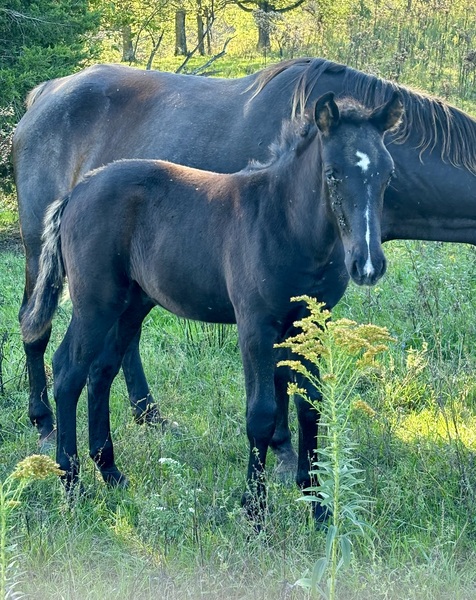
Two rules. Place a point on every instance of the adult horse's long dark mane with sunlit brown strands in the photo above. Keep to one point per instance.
(437, 121)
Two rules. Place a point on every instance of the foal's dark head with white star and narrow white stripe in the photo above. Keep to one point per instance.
(357, 168)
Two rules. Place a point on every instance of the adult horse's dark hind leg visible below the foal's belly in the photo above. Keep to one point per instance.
(144, 408)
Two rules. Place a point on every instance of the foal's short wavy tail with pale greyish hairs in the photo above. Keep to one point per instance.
(44, 301)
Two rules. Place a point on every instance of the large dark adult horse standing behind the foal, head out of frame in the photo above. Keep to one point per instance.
(109, 112)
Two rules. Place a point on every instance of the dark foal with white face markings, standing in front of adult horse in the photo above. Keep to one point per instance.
(217, 248)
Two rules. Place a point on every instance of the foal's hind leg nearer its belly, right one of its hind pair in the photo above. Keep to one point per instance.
(101, 374)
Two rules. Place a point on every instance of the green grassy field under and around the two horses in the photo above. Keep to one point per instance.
(178, 532)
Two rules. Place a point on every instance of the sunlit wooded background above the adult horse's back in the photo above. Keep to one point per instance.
(430, 44)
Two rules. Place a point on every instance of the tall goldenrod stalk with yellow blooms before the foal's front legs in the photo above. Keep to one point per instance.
(342, 351)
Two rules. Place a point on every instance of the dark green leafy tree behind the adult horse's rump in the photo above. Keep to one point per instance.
(38, 41)
